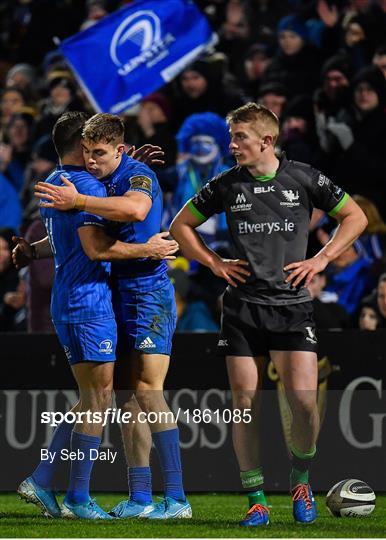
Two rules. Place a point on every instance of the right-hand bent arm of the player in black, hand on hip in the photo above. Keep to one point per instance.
(352, 222)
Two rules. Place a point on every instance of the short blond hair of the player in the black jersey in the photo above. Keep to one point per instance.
(264, 121)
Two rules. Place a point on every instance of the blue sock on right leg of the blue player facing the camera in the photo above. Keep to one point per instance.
(167, 444)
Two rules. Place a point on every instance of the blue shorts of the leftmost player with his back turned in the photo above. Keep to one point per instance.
(93, 341)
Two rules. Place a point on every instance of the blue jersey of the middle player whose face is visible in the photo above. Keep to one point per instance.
(139, 275)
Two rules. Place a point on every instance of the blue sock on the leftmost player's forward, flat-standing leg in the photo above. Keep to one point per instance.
(79, 486)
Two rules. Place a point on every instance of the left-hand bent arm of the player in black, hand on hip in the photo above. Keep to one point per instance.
(193, 247)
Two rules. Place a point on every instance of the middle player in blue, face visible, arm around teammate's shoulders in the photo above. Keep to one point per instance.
(144, 306)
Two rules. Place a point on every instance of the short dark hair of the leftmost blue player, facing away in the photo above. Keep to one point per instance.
(67, 132)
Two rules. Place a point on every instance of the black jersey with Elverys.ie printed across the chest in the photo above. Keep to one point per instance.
(268, 220)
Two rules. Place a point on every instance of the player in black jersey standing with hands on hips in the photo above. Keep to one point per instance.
(267, 308)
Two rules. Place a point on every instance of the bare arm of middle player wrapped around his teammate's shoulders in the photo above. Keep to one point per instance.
(133, 206)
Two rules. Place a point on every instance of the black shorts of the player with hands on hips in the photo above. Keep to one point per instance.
(249, 329)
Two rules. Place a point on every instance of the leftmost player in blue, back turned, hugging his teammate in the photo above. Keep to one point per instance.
(84, 320)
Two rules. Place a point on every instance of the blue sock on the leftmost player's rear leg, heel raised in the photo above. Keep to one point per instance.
(44, 473)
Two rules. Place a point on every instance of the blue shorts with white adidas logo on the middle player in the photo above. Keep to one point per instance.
(147, 320)
